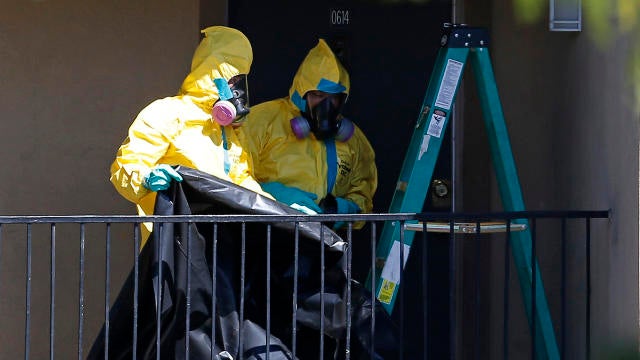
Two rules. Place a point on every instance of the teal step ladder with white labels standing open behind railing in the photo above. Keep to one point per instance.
(459, 44)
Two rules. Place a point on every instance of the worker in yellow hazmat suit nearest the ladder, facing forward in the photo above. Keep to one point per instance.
(305, 152)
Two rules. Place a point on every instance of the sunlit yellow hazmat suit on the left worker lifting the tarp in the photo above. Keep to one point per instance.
(179, 130)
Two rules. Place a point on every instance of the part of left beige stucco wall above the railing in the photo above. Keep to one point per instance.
(73, 75)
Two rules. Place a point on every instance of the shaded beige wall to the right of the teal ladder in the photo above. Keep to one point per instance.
(569, 107)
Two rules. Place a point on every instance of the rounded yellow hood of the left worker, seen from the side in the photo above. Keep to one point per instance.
(221, 47)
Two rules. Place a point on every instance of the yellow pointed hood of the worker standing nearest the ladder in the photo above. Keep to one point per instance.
(334, 78)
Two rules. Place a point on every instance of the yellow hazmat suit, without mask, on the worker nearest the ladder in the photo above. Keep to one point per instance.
(278, 155)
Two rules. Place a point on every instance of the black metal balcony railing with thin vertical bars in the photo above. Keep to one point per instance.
(58, 276)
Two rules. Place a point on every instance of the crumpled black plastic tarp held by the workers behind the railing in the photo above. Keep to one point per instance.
(193, 265)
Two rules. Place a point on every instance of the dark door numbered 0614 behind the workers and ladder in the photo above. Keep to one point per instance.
(389, 48)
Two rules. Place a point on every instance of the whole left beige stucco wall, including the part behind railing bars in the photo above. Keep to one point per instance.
(73, 75)
